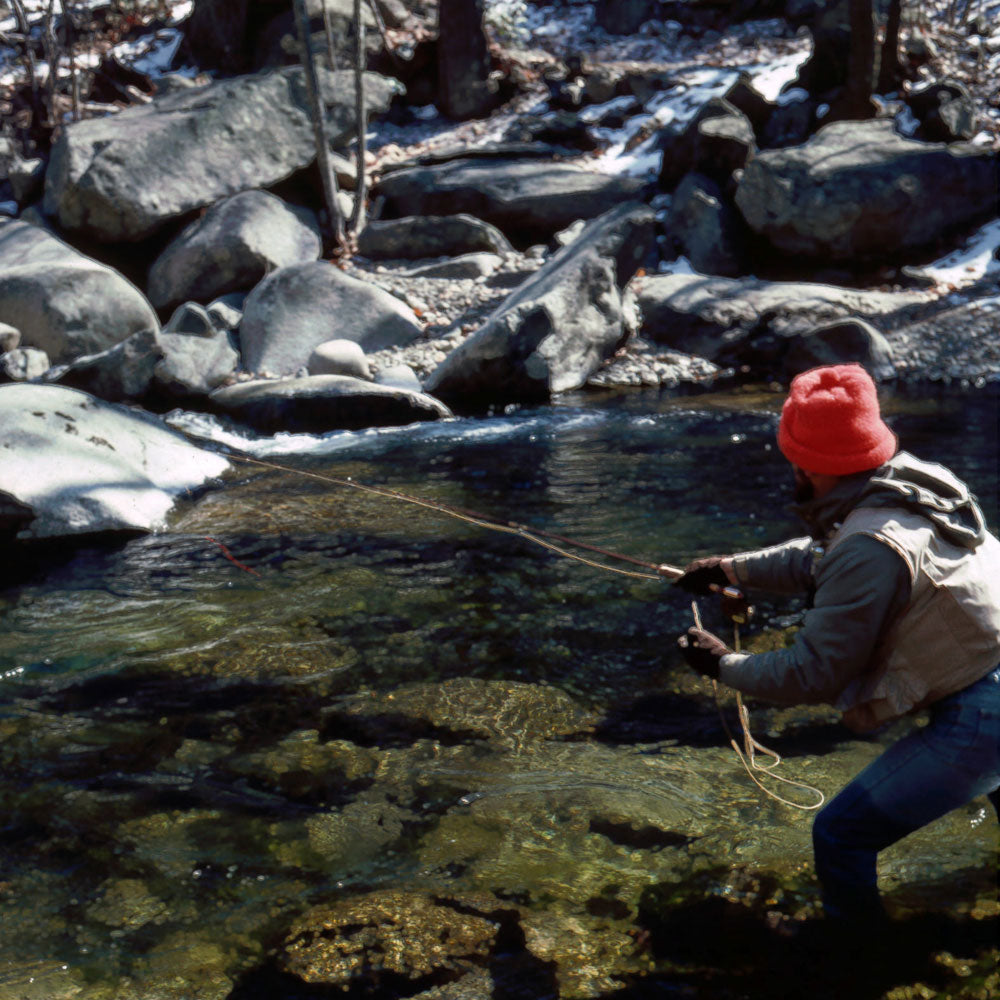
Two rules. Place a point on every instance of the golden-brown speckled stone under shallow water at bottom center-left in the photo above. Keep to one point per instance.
(390, 931)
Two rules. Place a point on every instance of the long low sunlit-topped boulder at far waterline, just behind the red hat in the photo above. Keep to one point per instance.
(732, 320)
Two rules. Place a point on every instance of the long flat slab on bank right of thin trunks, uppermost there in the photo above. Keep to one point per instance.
(527, 199)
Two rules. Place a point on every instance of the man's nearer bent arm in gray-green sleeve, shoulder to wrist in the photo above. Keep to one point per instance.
(861, 587)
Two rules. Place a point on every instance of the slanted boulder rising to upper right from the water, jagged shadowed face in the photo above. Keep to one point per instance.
(559, 326)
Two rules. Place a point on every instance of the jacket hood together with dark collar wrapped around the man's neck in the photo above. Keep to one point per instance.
(905, 481)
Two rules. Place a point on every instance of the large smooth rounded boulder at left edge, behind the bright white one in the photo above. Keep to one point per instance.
(63, 302)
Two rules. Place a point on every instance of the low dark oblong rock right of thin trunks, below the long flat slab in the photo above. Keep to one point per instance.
(417, 237)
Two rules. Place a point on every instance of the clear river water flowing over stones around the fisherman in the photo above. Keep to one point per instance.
(303, 696)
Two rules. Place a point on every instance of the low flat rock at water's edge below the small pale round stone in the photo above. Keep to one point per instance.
(313, 404)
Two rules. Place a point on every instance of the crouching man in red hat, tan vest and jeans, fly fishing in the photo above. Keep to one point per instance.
(904, 582)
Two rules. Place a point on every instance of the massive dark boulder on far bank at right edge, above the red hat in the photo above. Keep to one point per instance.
(860, 191)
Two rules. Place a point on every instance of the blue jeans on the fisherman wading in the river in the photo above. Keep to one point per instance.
(929, 772)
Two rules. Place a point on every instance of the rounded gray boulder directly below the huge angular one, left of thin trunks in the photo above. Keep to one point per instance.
(231, 248)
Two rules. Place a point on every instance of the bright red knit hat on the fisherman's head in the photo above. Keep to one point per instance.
(830, 423)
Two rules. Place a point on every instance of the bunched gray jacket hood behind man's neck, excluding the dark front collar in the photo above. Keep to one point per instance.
(930, 490)
